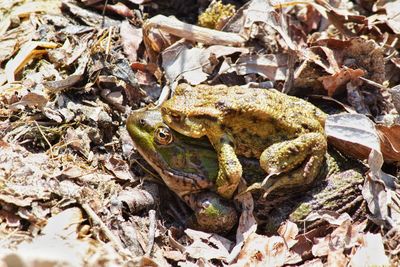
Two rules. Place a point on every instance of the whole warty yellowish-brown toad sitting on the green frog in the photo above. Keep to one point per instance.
(285, 133)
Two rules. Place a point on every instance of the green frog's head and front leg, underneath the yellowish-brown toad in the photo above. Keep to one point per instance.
(188, 166)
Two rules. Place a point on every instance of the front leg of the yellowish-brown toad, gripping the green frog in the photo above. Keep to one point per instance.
(230, 169)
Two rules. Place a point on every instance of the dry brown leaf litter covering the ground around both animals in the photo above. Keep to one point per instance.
(75, 193)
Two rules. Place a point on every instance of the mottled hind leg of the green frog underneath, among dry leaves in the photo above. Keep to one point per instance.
(339, 191)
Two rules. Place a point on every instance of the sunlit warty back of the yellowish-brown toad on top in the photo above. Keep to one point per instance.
(236, 106)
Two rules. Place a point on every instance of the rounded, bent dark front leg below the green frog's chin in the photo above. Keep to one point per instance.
(212, 213)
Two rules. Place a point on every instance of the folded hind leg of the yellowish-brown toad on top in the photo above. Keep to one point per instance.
(296, 162)
